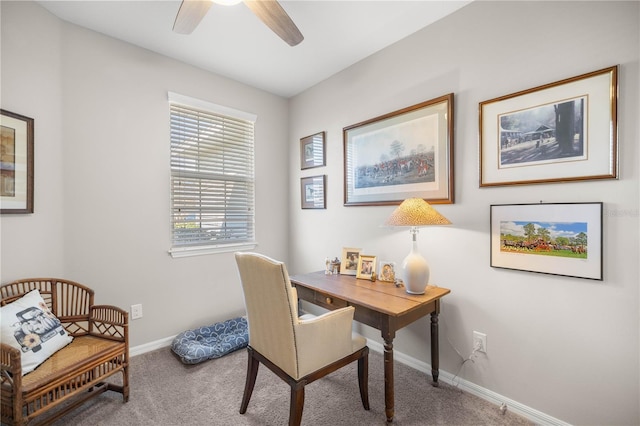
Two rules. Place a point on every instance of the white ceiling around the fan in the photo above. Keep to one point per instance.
(232, 42)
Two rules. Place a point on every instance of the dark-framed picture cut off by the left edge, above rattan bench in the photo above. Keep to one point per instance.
(16, 163)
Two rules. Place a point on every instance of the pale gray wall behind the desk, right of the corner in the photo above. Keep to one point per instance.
(567, 347)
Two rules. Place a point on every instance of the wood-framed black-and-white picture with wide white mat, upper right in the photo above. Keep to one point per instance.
(559, 132)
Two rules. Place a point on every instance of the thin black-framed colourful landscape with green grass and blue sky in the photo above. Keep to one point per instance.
(555, 238)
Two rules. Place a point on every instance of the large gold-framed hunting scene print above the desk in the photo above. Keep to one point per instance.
(403, 154)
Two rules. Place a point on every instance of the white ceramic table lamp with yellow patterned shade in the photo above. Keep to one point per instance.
(415, 212)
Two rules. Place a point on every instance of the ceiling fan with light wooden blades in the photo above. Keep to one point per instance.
(270, 12)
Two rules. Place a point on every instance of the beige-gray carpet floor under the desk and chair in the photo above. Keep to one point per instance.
(166, 392)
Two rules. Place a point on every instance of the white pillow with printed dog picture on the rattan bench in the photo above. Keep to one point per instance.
(29, 325)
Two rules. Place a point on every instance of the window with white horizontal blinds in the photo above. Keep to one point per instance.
(212, 179)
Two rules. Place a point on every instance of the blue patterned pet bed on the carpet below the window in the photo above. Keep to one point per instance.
(214, 341)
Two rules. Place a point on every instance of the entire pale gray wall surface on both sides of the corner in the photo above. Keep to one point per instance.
(564, 346)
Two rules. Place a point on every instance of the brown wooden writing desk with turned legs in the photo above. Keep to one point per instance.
(378, 304)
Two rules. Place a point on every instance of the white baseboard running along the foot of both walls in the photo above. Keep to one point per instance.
(535, 416)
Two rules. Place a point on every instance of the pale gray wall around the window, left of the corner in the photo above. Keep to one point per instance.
(102, 172)
